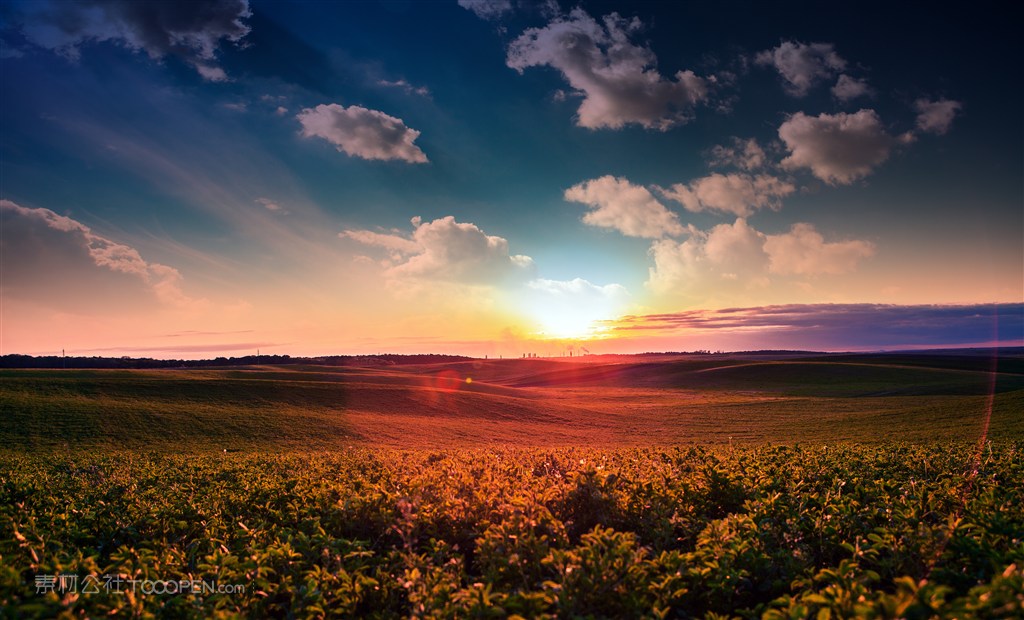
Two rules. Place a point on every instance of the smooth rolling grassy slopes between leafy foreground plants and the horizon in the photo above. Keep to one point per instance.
(521, 402)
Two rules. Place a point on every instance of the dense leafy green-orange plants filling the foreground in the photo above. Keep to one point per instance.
(777, 532)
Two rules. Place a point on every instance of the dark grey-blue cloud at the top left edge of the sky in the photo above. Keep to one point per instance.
(190, 31)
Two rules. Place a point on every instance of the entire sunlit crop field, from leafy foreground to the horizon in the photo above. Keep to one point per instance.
(675, 488)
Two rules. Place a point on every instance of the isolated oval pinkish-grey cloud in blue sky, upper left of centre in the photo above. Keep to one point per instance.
(362, 133)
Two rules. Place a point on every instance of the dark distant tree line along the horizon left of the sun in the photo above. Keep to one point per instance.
(19, 361)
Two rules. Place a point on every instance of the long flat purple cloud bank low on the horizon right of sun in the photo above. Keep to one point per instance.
(847, 326)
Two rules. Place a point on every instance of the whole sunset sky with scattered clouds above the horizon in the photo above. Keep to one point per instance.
(499, 178)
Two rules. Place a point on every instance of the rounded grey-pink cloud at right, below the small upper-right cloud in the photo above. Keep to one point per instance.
(838, 149)
